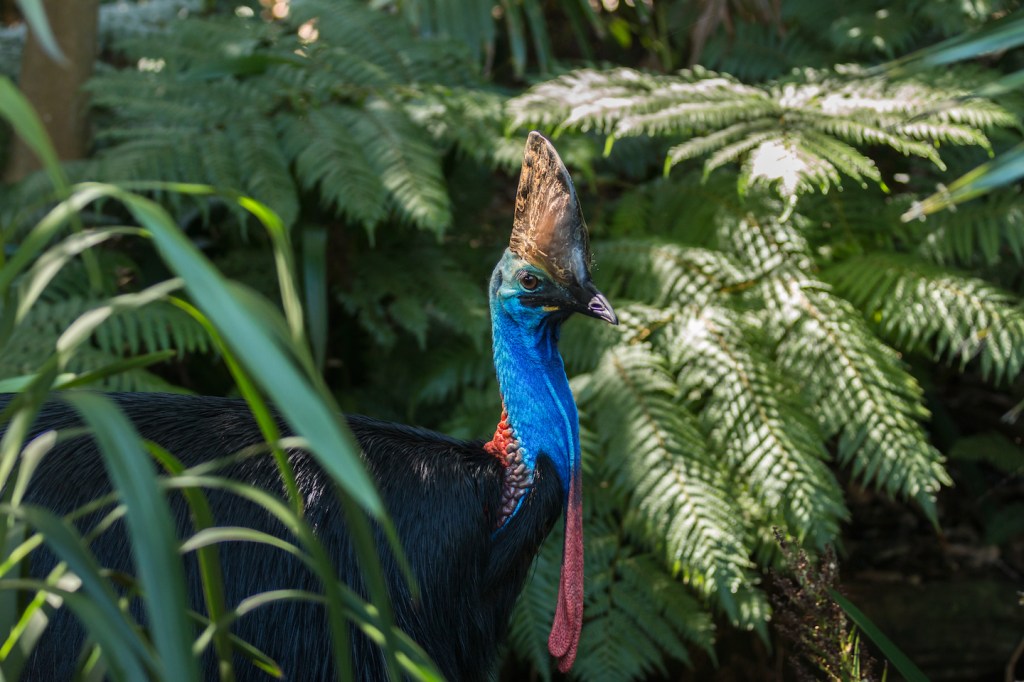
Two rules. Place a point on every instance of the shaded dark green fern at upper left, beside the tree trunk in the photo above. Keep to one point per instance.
(326, 103)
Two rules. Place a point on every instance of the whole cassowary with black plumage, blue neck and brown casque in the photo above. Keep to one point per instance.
(471, 516)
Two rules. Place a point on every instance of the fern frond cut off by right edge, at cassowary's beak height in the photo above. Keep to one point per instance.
(917, 305)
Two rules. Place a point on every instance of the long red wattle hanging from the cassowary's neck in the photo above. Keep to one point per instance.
(565, 637)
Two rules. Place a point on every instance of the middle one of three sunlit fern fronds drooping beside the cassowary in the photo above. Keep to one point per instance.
(754, 416)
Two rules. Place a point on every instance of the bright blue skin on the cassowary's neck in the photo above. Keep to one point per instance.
(531, 374)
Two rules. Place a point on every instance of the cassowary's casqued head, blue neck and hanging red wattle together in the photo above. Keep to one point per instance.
(543, 278)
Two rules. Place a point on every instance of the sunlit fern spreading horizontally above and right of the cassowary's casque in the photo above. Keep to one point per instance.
(799, 135)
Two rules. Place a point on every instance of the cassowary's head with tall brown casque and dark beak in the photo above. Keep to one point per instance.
(545, 274)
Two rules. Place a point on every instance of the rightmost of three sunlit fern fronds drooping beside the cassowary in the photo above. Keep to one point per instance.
(858, 386)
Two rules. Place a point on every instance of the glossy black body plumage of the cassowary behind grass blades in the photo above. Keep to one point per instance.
(470, 576)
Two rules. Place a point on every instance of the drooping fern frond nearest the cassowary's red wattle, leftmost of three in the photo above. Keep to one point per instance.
(662, 462)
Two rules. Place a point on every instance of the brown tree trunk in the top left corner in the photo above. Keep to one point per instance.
(56, 90)
